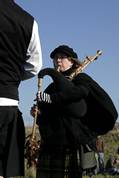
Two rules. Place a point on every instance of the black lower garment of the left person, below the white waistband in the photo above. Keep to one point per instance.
(12, 139)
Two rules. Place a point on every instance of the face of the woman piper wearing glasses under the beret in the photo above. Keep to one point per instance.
(62, 62)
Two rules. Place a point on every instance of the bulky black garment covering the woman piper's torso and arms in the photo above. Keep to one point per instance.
(80, 111)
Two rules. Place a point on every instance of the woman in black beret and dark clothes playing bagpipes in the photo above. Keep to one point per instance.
(69, 117)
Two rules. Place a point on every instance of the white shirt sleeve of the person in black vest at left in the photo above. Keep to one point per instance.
(34, 54)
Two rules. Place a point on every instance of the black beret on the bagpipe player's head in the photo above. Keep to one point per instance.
(65, 50)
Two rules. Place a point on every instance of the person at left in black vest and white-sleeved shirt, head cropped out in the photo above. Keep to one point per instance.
(20, 59)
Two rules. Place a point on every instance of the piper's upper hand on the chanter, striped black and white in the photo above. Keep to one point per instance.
(43, 97)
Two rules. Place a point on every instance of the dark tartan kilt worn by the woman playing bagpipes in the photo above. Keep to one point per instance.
(59, 163)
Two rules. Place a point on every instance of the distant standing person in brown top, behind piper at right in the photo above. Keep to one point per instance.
(100, 152)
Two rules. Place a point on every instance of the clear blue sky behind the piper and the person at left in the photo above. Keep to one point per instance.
(84, 25)
